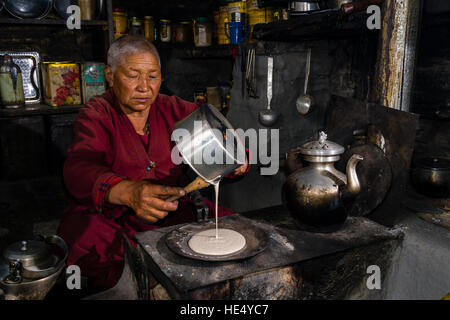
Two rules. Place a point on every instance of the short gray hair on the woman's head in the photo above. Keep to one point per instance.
(127, 45)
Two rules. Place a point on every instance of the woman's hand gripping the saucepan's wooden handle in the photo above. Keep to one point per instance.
(146, 199)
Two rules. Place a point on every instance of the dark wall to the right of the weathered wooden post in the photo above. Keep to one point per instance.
(431, 93)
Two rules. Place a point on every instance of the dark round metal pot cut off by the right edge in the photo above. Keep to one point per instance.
(431, 177)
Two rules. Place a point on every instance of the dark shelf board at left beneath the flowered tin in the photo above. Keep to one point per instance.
(38, 109)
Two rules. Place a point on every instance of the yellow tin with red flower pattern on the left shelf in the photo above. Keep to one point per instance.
(61, 83)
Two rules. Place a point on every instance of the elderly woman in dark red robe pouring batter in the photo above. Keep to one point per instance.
(119, 169)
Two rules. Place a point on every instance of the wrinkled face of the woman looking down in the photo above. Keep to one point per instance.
(136, 81)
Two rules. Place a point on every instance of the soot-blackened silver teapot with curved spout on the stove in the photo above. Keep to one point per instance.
(316, 194)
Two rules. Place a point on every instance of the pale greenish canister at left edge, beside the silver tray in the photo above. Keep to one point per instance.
(11, 84)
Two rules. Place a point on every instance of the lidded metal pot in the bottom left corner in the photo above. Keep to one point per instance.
(29, 269)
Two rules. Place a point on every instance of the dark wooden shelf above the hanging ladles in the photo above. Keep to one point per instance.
(315, 25)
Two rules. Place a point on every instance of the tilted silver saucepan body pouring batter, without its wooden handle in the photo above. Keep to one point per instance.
(209, 144)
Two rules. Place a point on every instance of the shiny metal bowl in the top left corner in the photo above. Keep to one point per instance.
(25, 9)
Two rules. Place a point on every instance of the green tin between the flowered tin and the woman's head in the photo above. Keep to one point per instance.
(92, 80)
